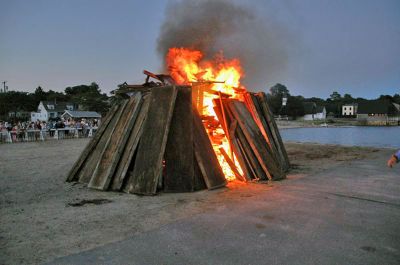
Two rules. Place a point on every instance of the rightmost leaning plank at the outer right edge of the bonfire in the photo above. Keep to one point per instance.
(267, 113)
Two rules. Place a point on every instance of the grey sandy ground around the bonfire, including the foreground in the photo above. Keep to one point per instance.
(44, 219)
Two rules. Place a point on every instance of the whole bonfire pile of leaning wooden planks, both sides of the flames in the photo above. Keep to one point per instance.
(156, 140)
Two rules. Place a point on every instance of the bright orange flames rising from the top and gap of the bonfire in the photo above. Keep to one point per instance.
(187, 66)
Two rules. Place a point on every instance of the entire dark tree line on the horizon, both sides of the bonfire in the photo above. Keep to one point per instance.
(90, 97)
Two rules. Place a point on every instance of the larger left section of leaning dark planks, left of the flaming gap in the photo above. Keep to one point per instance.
(153, 140)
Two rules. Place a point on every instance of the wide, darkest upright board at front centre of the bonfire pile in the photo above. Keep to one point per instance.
(179, 169)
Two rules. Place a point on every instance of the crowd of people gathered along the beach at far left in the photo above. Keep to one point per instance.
(20, 131)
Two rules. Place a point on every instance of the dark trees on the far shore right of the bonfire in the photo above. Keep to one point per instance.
(295, 104)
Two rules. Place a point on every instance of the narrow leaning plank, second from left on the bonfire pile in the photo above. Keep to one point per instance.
(87, 171)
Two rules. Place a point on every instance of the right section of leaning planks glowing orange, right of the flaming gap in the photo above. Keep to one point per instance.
(253, 136)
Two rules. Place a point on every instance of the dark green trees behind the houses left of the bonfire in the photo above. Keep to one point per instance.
(87, 97)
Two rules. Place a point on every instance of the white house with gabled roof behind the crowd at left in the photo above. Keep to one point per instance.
(48, 110)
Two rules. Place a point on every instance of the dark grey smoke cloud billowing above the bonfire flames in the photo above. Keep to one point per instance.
(220, 25)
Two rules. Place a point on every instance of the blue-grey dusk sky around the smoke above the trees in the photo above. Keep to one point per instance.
(348, 46)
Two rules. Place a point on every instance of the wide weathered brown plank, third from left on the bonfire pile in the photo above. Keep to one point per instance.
(106, 165)
